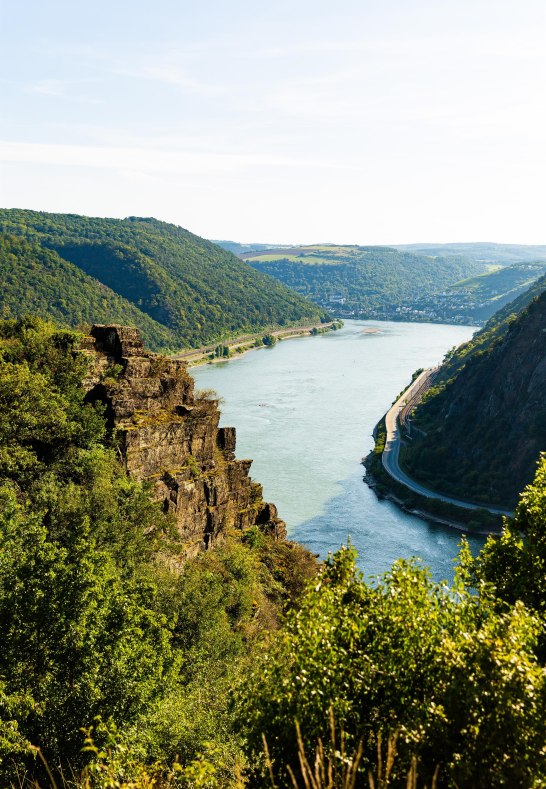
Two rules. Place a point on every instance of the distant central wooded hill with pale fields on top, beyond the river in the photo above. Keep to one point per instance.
(370, 282)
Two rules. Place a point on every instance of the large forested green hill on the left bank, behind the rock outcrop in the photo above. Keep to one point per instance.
(179, 289)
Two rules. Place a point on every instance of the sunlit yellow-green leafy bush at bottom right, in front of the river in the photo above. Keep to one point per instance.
(457, 680)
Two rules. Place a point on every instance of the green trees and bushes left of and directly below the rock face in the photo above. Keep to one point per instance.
(95, 617)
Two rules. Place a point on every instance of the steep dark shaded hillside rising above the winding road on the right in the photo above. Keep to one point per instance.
(482, 426)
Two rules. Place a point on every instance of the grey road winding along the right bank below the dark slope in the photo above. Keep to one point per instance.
(390, 458)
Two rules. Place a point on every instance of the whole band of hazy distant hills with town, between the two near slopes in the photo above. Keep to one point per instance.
(462, 283)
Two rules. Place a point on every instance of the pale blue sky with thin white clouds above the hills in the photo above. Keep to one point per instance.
(393, 121)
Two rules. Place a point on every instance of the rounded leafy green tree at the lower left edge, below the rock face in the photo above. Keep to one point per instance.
(78, 638)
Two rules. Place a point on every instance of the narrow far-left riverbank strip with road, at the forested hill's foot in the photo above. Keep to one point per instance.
(220, 352)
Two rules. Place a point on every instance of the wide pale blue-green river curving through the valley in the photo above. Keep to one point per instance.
(305, 410)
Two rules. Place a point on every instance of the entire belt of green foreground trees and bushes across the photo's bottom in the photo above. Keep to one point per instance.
(129, 667)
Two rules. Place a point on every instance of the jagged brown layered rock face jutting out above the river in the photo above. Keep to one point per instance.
(169, 436)
